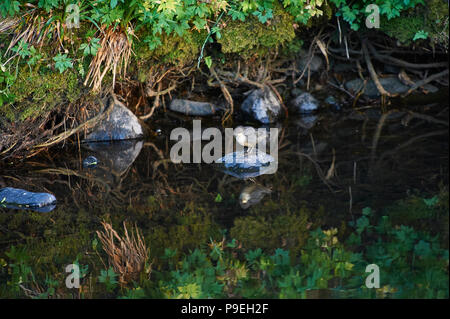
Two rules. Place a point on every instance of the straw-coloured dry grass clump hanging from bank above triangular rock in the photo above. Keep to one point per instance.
(113, 54)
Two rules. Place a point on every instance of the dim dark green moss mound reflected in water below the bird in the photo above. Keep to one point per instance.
(289, 231)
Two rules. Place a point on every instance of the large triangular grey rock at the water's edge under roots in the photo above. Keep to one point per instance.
(120, 124)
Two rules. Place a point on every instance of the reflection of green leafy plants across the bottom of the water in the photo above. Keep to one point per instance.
(282, 257)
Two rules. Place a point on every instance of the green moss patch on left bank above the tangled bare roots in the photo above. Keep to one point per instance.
(39, 92)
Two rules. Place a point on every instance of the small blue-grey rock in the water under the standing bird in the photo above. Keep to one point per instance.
(245, 165)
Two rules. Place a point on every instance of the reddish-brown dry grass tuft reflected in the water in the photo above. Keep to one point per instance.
(127, 254)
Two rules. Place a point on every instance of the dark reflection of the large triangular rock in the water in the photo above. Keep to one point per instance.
(116, 156)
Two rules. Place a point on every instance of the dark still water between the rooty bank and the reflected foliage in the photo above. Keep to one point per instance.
(339, 164)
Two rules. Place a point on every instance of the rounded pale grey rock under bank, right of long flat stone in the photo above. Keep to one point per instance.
(262, 105)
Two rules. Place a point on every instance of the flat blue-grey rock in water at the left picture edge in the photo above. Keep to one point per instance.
(22, 199)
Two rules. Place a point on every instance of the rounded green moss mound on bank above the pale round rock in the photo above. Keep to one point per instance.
(251, 36)
